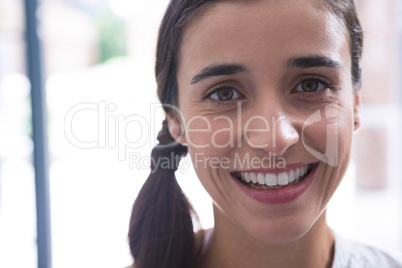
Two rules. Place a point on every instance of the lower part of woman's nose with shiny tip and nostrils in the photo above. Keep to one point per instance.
(273, 134)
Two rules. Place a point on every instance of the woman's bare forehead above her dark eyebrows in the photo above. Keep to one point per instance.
(261, 32)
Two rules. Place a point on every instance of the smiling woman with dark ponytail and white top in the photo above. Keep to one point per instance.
(264, 96)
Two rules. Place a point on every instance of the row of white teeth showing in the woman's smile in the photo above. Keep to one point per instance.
(272, 179)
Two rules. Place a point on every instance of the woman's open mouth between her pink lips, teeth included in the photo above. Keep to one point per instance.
(258, 180)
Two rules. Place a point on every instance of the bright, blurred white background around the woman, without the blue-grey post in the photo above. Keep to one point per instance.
(99, 84)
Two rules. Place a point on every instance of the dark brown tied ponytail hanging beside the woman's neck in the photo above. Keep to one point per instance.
(161, 229)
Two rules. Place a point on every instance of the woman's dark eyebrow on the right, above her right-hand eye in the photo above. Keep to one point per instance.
(313, 61)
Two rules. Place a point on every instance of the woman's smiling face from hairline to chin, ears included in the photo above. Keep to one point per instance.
(268, 109)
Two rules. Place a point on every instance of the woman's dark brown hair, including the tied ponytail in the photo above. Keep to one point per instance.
(161, 228)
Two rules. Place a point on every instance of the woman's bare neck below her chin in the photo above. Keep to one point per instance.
(229, 247)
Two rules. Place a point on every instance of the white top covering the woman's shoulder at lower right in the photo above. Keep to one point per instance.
(350, 254)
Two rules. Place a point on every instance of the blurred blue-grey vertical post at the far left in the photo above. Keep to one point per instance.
(34, 54)
